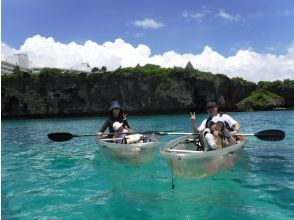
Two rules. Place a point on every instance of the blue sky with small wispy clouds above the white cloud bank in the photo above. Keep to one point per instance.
(182, 26)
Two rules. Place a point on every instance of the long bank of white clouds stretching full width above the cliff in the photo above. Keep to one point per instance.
(246, 63)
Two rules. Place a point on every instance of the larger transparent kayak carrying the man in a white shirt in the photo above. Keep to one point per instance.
(181, 155)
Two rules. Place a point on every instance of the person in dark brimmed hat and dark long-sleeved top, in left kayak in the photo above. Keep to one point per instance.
(116, 114)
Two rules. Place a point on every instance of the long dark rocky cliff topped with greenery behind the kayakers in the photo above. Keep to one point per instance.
(157, 90)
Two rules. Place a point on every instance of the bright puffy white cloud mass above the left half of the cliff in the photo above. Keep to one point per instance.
(48, 52)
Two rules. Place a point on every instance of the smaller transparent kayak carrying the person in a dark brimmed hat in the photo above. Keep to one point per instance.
(131, 154)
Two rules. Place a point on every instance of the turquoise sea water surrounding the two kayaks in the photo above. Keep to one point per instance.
(42, 179)
